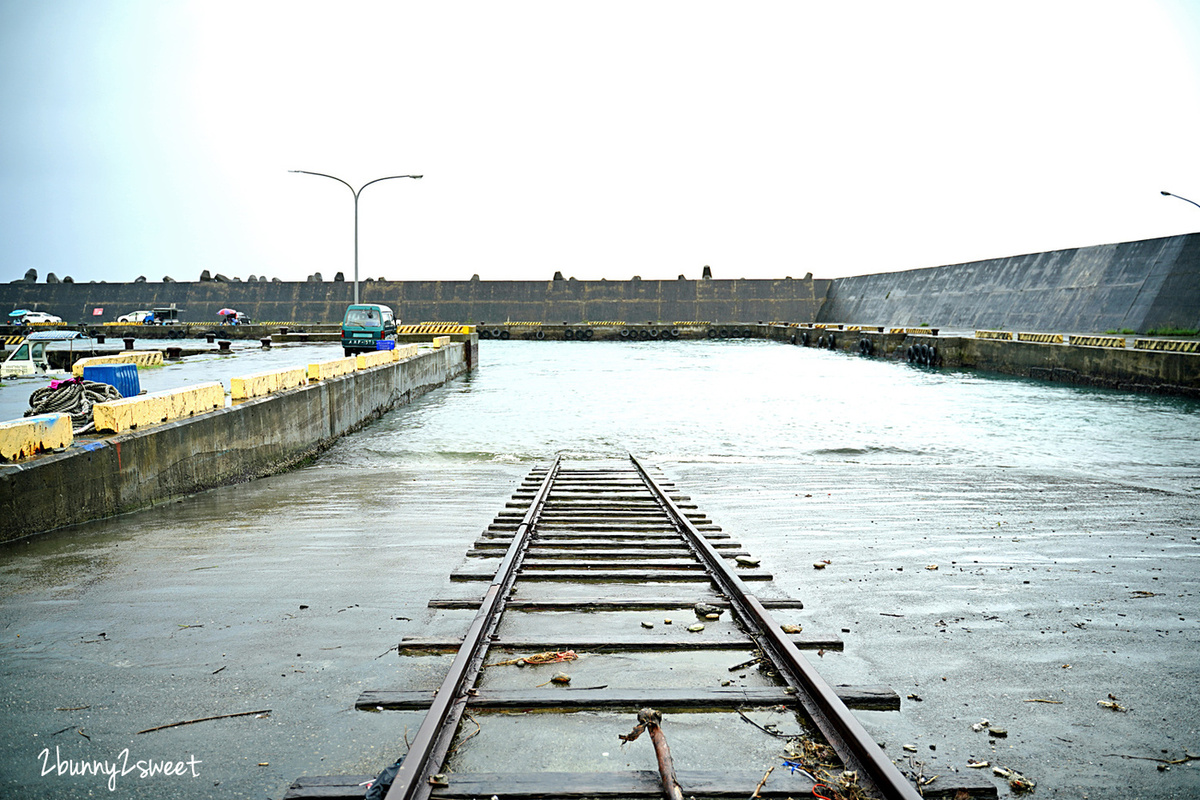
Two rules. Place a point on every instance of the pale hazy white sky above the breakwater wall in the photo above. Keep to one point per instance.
(603, 140)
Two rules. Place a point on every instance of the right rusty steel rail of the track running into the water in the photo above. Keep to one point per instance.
(856, 748)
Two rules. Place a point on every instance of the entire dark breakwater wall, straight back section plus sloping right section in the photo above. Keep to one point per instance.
(1136, 286)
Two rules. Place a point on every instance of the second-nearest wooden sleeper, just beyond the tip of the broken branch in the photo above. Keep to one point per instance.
(877, 699)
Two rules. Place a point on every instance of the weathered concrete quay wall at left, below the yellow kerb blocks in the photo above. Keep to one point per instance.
(105, 478)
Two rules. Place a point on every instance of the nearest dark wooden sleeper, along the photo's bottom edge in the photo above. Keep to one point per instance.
(635, 784)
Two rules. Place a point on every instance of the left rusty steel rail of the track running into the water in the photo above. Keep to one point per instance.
(434, 738)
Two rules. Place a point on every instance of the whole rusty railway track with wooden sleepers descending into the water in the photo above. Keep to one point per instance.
(614, 603)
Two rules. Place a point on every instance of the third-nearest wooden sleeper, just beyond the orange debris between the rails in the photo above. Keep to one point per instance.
(805, 641)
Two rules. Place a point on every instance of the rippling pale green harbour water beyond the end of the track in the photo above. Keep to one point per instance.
(761, 402)
